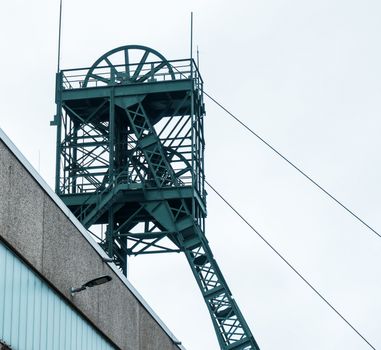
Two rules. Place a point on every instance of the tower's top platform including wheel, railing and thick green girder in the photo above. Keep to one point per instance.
(164, 84)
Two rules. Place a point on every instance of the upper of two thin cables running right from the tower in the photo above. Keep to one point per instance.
(351, 212)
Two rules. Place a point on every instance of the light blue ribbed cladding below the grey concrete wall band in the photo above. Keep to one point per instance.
(33, 316)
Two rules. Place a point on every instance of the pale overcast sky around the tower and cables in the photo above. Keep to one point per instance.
(306, 75)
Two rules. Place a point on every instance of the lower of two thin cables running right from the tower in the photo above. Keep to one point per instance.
(288, 263)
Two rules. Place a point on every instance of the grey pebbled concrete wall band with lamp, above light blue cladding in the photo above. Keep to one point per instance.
(37, 225)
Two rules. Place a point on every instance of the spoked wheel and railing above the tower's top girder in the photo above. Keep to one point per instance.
(130, 65)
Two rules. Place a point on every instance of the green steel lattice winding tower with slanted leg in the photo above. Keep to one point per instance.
(130, 166)
